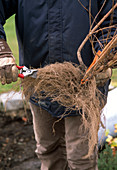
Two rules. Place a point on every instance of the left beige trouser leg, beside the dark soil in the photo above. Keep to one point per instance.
(51, 148)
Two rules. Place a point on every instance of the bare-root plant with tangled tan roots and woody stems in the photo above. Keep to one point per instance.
(61, 82)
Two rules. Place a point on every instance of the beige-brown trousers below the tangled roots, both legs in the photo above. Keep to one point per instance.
(60, 150)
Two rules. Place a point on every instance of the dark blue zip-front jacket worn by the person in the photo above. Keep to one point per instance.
(52, 30)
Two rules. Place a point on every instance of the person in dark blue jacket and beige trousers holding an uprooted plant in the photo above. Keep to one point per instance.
(49, 32)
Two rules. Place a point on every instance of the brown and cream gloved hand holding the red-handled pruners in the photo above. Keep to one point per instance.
(8, 69)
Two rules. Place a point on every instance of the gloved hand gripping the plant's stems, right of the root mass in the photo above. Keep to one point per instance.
(102, 77)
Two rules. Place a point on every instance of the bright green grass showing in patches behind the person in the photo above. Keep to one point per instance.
(12, 41)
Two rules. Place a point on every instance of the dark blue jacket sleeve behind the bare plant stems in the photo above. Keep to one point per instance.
(106, 35)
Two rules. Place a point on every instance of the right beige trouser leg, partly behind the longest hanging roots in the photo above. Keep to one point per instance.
(75, 149)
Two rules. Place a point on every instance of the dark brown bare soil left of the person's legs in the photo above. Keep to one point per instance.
(17, 144)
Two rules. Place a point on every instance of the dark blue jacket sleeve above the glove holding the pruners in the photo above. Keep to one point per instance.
(7, 9)
